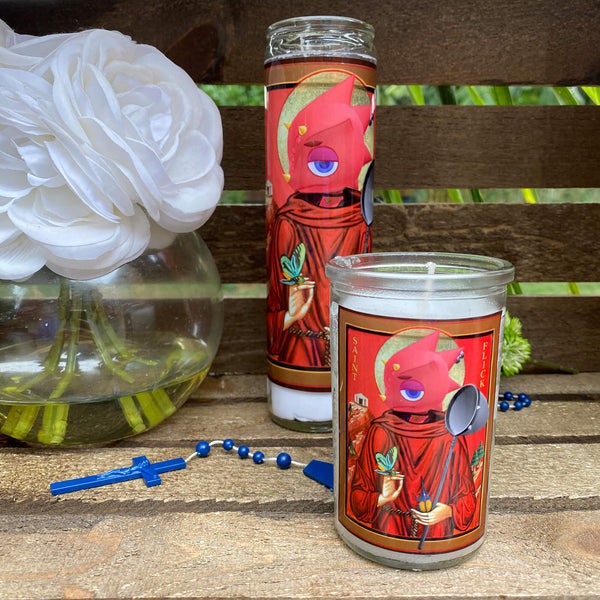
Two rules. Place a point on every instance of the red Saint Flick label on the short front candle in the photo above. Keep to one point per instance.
(416, 406)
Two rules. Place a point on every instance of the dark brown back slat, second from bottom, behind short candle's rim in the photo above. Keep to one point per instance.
(545, 242)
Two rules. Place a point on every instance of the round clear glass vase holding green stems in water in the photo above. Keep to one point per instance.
(90, 362)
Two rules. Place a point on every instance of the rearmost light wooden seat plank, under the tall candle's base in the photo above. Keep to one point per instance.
(566, 409)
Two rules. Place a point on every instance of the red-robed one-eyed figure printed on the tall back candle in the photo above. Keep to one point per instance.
(320, 220)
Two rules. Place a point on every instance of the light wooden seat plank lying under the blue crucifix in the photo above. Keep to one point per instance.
(224, 482)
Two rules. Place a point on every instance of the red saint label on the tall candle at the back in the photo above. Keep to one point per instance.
(319, 150)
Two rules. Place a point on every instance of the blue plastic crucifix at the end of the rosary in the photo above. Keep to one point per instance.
(141, 467)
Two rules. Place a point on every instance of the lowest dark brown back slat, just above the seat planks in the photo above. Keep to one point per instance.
(562, 330)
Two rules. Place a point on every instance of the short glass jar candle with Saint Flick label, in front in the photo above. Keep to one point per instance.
(416, 344)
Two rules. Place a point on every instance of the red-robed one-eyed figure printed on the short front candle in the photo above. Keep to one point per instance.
(416, 381)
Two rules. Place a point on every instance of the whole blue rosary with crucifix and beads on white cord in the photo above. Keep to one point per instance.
(142, 468)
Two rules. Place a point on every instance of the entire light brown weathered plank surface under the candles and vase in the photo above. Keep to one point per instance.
(226, 528)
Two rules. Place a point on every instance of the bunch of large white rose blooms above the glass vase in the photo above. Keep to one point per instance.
(97, 137)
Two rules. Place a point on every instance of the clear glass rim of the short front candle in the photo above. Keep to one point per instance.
(419, 271)
